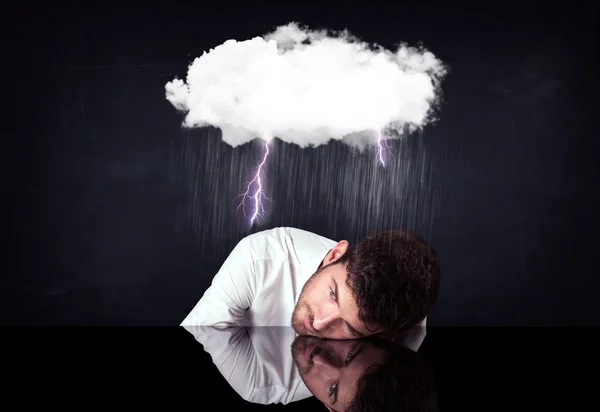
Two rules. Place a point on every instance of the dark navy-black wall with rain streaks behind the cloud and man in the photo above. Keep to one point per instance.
(122, 217)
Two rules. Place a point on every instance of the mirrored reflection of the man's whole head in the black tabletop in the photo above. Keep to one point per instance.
(365, 375)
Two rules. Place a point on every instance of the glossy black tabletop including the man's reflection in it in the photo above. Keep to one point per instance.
(258, 368)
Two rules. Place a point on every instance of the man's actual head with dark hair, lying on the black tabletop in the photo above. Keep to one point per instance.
(386, 283)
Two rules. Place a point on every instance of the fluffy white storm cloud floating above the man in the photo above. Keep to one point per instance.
(307, 87)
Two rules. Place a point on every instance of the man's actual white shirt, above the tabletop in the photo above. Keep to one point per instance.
(260, 281)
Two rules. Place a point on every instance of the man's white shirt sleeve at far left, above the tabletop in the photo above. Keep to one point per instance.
(230, 294)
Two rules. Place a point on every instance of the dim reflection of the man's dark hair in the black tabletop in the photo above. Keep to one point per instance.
(402, 382)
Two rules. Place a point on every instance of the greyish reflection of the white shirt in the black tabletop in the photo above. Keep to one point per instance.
(257, 362)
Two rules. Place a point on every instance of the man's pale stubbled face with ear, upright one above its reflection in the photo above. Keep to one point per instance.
(326, 307)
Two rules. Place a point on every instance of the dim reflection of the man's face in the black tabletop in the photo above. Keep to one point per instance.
(331, 368)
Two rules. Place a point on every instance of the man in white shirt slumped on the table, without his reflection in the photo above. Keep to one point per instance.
(386, 283)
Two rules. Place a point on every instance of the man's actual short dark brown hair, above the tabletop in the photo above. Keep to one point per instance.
(394, 276)
